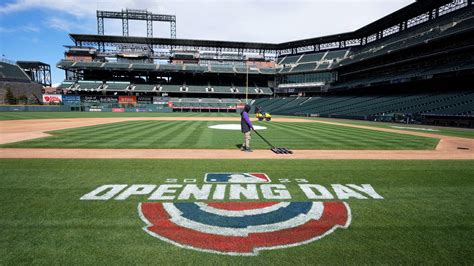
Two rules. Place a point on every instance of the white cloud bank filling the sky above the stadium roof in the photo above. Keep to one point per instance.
(236, 20)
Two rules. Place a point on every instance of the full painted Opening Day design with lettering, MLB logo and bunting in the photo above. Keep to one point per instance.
(219, 221)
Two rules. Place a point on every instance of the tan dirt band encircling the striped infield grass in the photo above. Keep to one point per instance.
(449, 148)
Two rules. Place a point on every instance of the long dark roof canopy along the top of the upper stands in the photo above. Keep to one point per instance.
(344, 39)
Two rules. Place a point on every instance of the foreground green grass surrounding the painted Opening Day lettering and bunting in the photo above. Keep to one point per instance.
(427, 216)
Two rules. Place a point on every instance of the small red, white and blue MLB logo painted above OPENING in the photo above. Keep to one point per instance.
(236, 178)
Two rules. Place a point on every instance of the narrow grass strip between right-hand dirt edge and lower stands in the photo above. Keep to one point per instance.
(445, 131)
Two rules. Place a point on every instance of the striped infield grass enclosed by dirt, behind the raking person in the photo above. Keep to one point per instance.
(192, 134)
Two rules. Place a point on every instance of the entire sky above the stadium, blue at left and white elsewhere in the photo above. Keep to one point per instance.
(36, 30)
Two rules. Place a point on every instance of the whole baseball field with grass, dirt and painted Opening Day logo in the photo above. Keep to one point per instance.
(161, 189)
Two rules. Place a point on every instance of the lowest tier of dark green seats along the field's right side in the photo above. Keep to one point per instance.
(361, 107)
